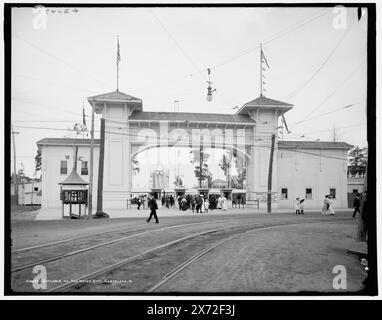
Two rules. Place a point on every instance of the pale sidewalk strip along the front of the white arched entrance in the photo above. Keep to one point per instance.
(55, 213)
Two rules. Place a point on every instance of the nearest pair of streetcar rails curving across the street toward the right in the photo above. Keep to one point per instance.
(256, 227)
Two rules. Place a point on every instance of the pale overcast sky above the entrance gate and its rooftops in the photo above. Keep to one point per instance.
(314, 64)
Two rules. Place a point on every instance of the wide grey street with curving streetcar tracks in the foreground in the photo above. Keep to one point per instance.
(278, 252)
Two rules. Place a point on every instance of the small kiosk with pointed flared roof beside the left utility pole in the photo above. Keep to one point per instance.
(74, 196)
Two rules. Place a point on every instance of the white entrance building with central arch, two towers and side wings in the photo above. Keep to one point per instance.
(308, 170)
